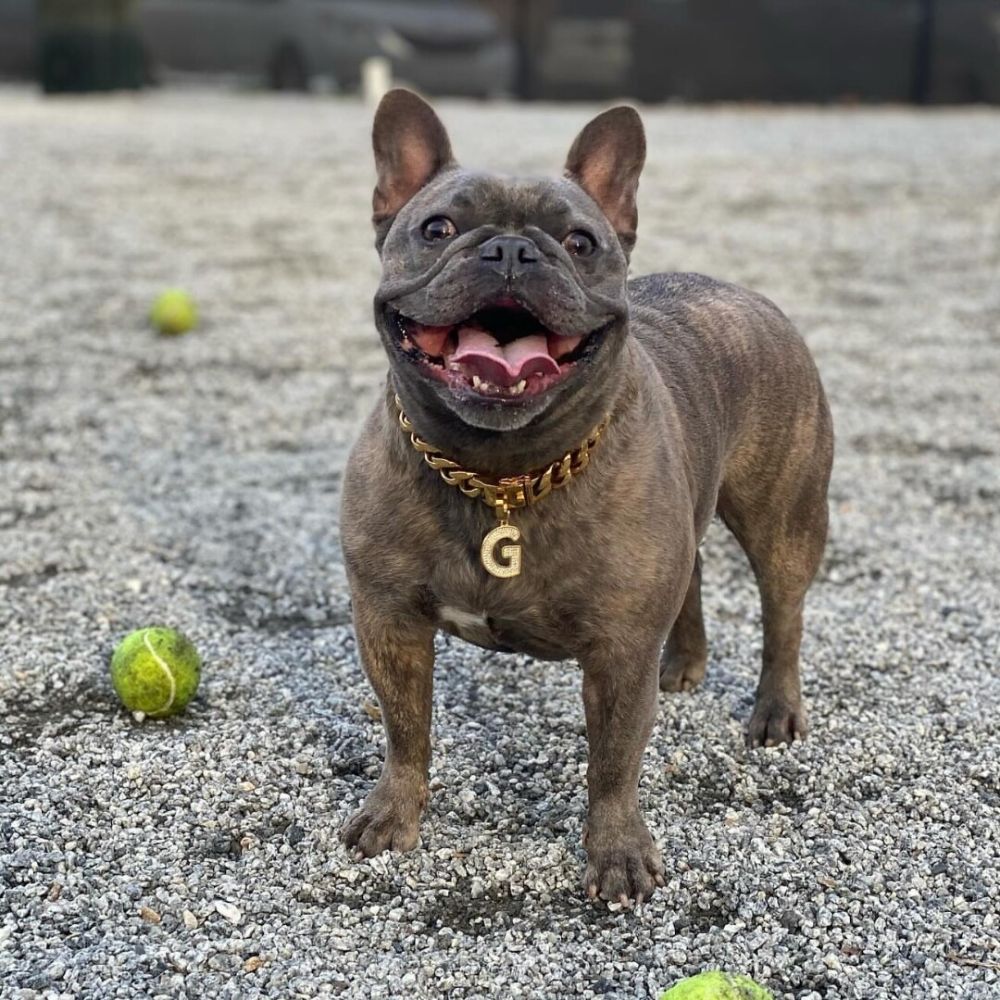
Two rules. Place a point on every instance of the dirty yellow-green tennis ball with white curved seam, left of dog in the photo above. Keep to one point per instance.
(155, 671)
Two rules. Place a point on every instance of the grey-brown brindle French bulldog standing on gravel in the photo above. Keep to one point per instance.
(512, 333)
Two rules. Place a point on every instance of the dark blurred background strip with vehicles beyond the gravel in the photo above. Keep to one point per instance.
(921, 51)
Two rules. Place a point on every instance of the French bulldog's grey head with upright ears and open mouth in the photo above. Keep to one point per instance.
(501, 296)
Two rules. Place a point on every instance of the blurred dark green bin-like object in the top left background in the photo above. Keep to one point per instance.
(89, 45)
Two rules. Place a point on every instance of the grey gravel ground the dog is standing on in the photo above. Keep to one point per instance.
(195, 481)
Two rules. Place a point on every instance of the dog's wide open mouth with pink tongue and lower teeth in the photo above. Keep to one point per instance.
(502, 352)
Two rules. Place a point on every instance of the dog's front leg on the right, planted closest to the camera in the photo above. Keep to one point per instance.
(620, 697)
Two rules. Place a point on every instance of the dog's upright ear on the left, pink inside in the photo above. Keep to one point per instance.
(411, 146)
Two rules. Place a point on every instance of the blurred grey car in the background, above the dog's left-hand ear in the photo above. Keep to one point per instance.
(439, 46)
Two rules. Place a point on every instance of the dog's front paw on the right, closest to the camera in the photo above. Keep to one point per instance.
(622, 867)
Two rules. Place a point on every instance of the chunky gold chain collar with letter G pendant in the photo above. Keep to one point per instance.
(505, 494)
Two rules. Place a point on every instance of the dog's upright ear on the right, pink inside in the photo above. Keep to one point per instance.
(606, 161)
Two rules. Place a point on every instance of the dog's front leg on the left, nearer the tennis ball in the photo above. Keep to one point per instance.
(398, 656)
